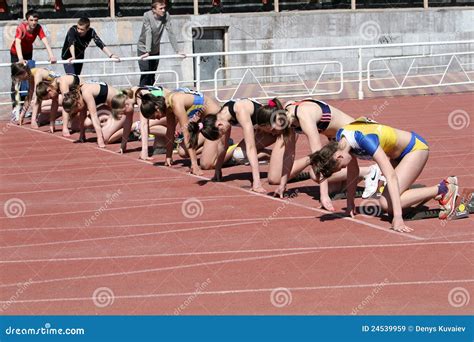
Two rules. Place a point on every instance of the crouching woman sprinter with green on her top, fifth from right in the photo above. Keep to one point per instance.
(123, 104)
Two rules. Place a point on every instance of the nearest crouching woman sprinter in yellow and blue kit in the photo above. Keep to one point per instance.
(401, 156)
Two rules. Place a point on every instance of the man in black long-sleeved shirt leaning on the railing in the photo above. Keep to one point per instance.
(77, 40)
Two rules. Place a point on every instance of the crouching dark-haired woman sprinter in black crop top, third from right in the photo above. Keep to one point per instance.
(218, 127)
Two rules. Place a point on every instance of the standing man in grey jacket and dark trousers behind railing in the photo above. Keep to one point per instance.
(154, 23)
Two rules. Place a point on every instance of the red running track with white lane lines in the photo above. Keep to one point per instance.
(88, 231)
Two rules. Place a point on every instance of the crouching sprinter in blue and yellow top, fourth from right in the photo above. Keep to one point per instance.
(185, 106)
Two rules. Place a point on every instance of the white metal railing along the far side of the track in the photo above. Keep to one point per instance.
(360, 74)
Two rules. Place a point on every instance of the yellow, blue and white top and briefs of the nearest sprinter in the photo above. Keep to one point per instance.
(365, 136)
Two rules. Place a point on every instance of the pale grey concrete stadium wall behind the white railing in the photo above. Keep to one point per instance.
(253, 31)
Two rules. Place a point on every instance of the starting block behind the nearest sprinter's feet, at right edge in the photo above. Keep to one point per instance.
(464, 207)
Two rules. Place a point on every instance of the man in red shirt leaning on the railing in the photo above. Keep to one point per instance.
(22, 47)
